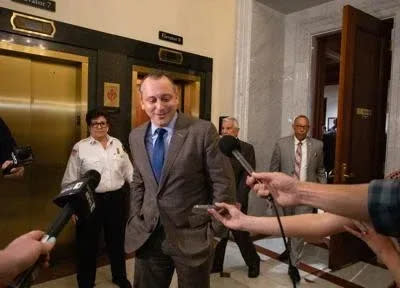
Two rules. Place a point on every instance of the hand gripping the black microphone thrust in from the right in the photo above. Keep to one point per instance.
(282, 187)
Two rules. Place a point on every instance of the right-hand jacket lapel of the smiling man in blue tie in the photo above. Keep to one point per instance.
(177, 140)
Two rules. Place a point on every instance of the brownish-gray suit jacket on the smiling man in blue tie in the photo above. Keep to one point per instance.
(194, 172)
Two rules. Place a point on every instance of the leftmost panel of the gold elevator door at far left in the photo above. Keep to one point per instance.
(15, 98)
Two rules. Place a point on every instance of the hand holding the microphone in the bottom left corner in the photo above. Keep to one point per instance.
(22, 253)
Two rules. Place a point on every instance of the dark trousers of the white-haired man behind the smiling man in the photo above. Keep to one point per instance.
(246, 248)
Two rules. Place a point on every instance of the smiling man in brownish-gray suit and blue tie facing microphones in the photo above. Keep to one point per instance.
(177, 164)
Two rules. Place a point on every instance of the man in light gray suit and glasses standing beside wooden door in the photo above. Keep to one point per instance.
(302, 157)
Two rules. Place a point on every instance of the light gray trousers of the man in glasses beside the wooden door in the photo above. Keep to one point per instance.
(296, 244)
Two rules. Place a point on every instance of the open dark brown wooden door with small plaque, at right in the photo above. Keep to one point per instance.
(361, 137)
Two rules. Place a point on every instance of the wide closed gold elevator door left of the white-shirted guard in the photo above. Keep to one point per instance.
(40, 102)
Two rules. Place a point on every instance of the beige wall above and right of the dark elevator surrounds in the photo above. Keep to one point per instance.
(207, 28)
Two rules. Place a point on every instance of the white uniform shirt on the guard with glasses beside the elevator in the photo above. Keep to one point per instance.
(112, 163)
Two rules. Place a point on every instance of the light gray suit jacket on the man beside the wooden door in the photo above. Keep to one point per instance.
(283, 158)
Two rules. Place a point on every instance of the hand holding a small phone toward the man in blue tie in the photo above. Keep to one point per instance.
(229, 215)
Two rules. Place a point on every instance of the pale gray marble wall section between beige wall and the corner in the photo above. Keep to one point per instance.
(258, 98)
